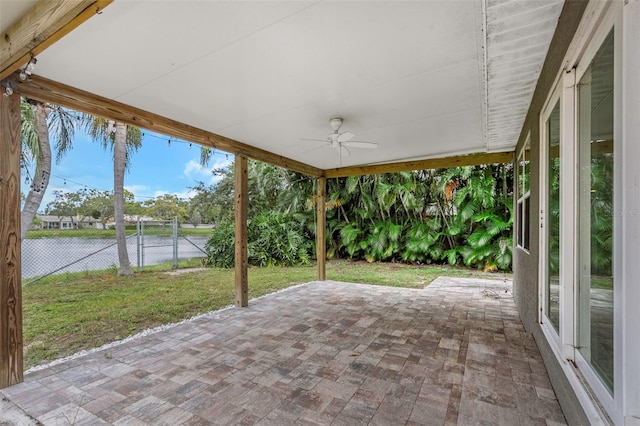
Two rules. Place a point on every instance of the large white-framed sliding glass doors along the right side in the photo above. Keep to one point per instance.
(589, 177)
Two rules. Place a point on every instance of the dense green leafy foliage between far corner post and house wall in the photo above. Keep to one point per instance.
(455, 216)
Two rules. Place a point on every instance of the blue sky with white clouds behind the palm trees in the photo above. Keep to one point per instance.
(156, 168)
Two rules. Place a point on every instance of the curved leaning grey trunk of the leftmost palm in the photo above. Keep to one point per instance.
(43, 171)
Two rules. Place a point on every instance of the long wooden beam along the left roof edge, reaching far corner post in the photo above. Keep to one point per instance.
(56, 93)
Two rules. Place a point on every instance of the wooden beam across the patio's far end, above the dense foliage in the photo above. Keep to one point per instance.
(431, 163)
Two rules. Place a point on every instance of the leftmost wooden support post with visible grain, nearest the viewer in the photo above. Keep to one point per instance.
(11, 361)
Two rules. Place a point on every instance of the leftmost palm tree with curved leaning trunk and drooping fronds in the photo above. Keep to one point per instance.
(38, 120)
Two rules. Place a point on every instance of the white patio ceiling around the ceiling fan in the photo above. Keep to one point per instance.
(412, 76)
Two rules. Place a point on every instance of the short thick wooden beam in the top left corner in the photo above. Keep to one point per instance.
(45, 23)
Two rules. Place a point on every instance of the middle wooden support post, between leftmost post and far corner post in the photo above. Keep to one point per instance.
(241, 211)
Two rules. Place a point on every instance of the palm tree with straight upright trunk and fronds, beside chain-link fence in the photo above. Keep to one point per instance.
(123, 140)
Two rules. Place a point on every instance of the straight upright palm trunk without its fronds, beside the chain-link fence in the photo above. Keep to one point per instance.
(119, 157)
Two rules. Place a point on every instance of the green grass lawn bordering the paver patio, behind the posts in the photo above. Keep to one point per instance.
(64, 314)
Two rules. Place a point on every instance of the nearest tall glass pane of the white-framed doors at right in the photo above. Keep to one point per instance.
(595, 212)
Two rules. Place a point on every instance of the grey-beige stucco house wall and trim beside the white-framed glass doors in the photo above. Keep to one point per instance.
(525, 280)
